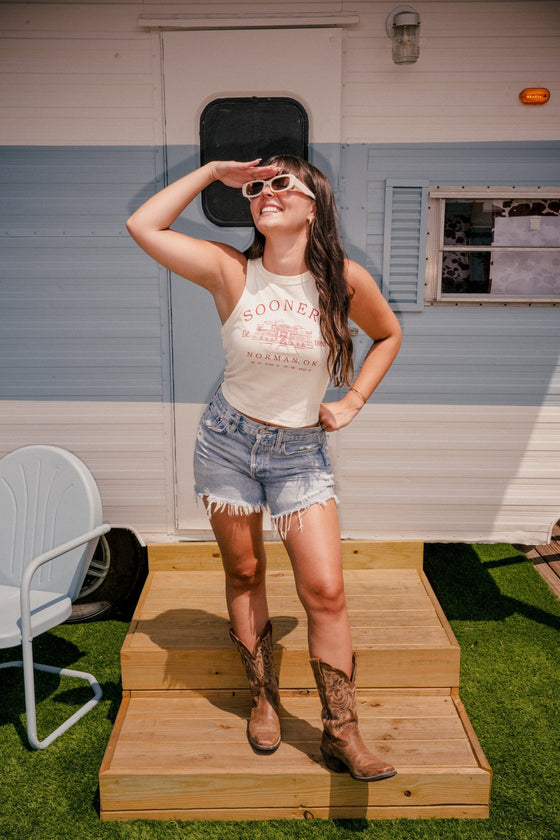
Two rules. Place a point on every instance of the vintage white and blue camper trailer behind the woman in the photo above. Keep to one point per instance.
(448, 188)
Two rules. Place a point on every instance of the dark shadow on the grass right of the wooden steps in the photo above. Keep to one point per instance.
(467, 591)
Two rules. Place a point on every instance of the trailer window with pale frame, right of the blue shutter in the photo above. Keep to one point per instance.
(494, 247)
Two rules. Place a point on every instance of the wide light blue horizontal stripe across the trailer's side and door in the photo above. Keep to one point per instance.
(84, 311)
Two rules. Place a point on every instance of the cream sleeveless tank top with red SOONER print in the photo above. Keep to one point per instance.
(276, 358)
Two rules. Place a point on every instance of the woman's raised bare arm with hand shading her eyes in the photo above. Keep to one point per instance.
(202, 262)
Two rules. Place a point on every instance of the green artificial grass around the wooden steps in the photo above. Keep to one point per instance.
(507, 622)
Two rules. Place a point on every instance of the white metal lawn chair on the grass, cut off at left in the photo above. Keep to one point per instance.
(50, 521)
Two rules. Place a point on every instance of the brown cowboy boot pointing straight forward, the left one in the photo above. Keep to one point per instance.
(263, 729)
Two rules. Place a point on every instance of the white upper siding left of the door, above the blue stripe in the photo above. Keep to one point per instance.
(73, 86)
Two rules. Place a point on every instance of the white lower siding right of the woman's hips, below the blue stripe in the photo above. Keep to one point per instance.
(467, 473)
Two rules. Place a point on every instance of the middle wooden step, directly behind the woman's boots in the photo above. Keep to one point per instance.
(179, 637)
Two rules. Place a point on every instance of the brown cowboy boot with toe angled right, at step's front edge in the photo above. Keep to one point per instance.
(341, 744)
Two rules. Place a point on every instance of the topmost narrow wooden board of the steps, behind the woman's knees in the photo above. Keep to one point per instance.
(201, 556)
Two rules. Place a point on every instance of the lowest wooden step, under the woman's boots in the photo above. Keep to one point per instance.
(184, 755)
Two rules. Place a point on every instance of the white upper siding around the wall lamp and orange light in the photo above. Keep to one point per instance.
(475, 58)
